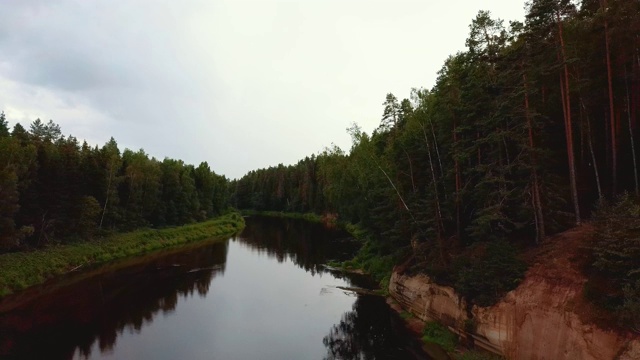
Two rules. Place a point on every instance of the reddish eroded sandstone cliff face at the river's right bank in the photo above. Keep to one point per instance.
(542, 319)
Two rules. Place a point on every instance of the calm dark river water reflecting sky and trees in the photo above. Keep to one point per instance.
(263, 294)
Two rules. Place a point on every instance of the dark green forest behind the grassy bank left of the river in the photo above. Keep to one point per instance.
(54, 189)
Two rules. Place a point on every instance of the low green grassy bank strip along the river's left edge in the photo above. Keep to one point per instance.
(21, 270)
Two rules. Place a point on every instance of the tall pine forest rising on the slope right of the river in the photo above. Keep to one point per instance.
(521, 136)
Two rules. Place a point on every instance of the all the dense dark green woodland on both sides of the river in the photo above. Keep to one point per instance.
(525, 133)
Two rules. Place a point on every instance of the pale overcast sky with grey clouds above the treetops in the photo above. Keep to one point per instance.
(239, 84)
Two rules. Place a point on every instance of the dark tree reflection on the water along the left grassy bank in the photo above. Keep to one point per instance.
(99, 310)
